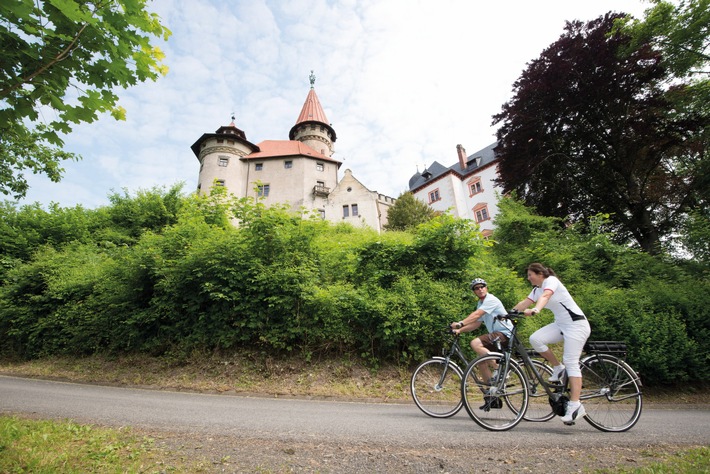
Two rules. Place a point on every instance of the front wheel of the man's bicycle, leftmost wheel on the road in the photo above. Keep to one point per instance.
(436, 388)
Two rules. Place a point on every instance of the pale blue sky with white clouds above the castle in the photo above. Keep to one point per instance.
(402, 82)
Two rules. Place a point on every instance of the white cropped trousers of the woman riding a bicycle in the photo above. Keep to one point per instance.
(574, 335)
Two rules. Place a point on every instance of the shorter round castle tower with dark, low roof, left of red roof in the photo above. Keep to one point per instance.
(220, 156)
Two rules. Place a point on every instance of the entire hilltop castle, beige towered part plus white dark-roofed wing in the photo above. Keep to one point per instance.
(302, 173)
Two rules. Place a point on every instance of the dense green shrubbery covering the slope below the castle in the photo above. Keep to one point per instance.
(160, 273)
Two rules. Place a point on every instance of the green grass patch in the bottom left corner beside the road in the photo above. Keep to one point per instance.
(40, 446)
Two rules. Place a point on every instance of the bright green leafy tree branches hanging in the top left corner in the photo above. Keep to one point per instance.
(64, 59)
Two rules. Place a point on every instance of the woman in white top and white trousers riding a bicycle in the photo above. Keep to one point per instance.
(570, 325)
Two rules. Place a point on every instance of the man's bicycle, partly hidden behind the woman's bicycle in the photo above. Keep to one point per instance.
(436, 383)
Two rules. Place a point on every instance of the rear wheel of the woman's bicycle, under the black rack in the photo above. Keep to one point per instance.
(610, 392)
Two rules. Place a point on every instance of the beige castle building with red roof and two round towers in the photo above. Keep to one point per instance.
(300, 171)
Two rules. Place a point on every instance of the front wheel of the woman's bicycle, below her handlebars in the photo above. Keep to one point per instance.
(495, 403)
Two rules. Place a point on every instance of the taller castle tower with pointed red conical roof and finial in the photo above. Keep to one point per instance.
(312, 127)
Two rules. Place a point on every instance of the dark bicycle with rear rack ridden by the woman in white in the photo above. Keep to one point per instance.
(611, 388)
